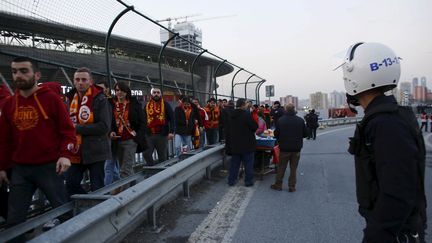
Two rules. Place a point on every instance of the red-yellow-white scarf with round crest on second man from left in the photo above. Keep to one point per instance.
(81, 112)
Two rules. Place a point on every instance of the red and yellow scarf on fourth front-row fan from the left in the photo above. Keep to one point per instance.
(155, 115)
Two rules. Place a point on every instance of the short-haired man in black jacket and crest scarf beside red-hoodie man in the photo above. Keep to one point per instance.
(90, 113)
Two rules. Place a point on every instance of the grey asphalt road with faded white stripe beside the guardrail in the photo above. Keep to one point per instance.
(323, 209)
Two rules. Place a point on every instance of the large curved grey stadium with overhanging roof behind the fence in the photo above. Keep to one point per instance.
(133, 58)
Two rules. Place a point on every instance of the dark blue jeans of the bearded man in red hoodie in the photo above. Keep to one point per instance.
(24, 181)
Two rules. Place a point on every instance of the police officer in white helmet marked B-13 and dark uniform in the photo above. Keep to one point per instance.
(388, 148)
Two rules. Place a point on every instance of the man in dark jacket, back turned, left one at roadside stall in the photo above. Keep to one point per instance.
(241, 143)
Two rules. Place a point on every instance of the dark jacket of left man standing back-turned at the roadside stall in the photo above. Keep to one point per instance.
(240, 132)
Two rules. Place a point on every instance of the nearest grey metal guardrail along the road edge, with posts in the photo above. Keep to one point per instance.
(113, 218)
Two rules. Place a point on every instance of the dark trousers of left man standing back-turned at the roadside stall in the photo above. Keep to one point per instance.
(236, 159)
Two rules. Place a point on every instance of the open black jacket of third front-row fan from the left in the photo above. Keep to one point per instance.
(137, 122)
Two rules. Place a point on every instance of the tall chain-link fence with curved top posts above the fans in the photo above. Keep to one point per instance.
(65, 35)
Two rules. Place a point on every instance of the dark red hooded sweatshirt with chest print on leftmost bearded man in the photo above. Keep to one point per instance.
(35, 130)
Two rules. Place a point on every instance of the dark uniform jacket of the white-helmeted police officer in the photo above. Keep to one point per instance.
(389, 163)
